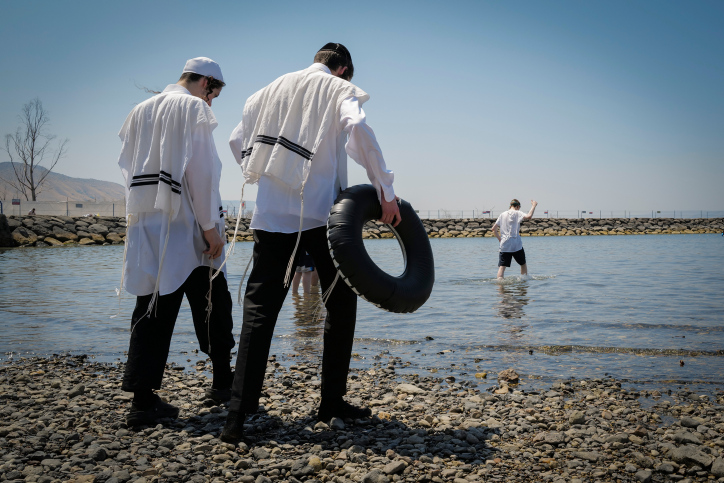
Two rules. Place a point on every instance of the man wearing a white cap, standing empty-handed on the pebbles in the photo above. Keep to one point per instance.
(172, 173)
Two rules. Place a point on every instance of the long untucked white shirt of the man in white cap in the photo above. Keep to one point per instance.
(199, 210)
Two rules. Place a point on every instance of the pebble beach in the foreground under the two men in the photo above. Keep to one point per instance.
(63, 420)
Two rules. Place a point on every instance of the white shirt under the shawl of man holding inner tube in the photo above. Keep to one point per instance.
(278, 206)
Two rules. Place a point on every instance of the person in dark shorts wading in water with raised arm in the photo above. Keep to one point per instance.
(507, 230)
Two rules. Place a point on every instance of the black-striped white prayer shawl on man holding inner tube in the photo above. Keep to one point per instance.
(285, 122)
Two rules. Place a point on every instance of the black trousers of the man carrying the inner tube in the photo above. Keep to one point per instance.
(265, 294)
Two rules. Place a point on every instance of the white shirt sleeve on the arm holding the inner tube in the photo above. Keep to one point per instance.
(363, 148)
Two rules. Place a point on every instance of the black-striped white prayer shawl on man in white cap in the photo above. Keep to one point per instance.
(156, 159)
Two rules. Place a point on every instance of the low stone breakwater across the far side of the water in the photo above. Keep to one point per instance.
(41, 230)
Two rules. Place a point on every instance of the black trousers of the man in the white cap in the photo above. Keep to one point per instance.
(151, 337)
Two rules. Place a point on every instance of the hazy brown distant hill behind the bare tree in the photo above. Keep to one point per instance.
(59, 187)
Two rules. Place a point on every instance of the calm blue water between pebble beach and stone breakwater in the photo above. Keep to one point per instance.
(631, 307)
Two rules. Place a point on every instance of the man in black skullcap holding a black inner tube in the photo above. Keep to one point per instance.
(293, 141)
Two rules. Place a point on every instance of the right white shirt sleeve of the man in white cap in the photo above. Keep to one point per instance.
(200, 179)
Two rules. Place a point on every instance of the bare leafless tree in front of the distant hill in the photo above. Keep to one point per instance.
(29, 147)
